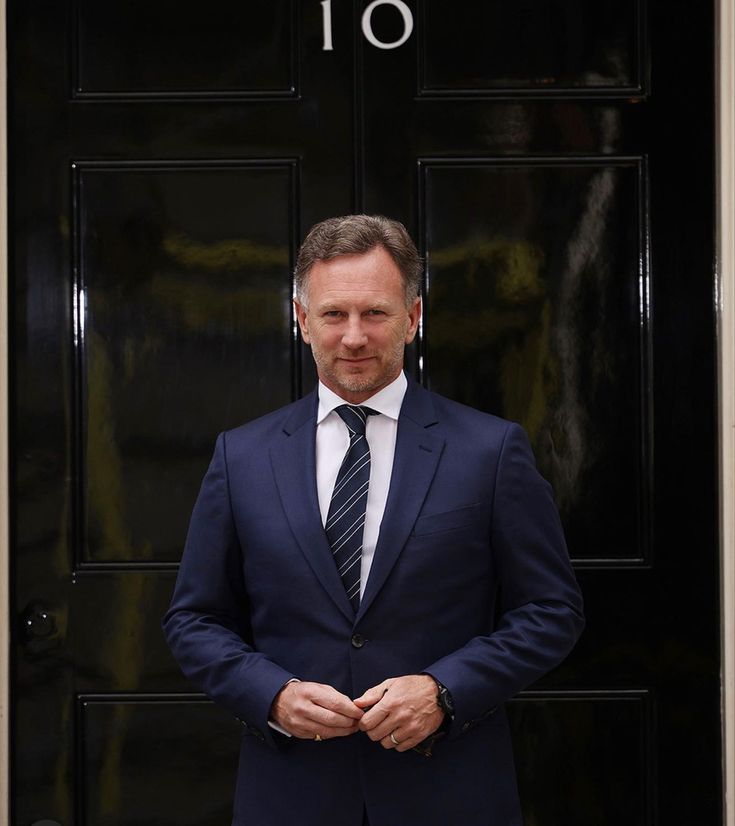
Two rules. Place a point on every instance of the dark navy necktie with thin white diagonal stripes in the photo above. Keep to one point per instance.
(346, 517)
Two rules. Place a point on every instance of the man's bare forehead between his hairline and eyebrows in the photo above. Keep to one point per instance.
(373, 275)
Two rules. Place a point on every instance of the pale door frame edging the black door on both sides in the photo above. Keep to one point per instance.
(725, 307)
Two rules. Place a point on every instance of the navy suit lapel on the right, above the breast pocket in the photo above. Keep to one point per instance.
(416, 458)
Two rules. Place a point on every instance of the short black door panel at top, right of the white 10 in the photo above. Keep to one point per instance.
(530, 47)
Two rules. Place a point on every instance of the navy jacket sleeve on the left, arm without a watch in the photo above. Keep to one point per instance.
(207, 625)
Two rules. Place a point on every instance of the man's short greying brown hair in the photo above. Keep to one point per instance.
(354, 235)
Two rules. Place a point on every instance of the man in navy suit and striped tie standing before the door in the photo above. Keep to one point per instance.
(372, 571)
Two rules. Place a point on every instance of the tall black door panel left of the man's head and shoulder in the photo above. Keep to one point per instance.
(183, 270)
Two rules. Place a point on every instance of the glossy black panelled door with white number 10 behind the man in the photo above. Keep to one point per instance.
(555, 162)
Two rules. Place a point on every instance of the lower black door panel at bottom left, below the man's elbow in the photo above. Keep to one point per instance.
(118, 757)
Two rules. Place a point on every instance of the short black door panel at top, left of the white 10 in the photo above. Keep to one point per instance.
(140, 49)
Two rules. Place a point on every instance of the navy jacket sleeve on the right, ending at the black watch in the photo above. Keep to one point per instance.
(539, 604)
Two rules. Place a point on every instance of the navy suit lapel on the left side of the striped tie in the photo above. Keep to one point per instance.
(293, 460)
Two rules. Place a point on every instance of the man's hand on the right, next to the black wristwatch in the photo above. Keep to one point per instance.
(405, 707)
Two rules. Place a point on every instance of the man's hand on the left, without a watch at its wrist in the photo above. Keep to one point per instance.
(309, 709)
